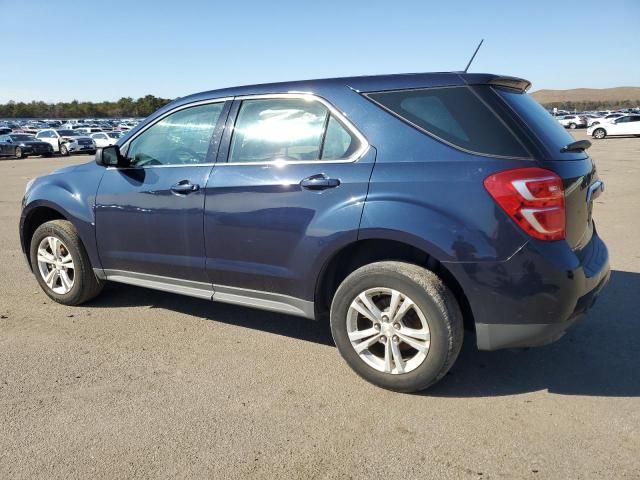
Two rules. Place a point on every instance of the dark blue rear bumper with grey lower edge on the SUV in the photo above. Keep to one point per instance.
(535, 296)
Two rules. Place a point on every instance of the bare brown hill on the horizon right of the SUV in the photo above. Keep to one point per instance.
(614, 97)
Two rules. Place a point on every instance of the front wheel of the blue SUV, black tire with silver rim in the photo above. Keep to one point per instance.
(84, 284)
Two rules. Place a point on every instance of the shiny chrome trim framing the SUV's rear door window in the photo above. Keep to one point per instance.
(311, 97)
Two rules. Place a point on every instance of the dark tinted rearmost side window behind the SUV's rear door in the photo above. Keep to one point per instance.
(456, 116)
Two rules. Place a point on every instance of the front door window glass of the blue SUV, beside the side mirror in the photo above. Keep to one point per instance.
(181, 138)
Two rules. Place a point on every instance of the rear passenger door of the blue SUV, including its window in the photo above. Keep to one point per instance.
(289, 185)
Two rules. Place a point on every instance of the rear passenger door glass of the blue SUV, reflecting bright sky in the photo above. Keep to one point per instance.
(288, 129)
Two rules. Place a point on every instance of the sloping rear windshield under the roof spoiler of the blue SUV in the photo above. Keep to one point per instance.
(542, 124)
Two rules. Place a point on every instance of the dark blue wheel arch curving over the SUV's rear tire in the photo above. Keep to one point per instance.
(365, 251)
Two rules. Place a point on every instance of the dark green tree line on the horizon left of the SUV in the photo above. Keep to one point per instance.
(125, 107)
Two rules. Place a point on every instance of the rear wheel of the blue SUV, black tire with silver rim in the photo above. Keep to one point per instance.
(440, 312)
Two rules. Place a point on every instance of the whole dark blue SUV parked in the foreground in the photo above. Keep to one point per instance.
(405, 208)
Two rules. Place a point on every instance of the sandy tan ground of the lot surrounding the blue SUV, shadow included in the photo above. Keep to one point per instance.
(146, 384)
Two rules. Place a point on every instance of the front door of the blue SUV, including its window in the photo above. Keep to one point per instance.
(149, 215)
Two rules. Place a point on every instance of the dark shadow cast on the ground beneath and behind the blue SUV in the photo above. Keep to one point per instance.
(600, 356)
